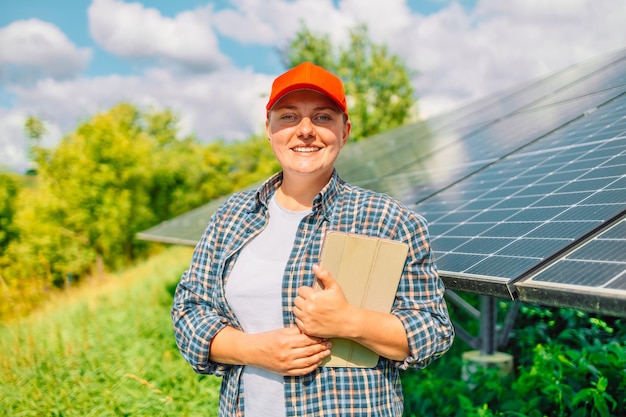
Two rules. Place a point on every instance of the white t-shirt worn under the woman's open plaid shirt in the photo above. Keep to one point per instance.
(254, 291)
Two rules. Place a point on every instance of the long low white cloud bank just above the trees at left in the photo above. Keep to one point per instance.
(227, 104)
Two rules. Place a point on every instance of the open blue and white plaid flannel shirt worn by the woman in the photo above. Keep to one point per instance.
(200, 310)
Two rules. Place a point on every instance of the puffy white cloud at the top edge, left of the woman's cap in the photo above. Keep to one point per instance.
(133, 31)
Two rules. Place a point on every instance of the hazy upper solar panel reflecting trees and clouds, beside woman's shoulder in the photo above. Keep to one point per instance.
(415, 161)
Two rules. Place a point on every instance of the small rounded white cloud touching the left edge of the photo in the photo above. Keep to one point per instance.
(32, 49)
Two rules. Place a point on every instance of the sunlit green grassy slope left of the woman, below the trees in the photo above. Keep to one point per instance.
(105, 349)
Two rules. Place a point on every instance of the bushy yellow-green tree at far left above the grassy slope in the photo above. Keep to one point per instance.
(90, 199)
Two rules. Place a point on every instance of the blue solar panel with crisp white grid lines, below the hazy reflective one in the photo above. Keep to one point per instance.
(506, 219)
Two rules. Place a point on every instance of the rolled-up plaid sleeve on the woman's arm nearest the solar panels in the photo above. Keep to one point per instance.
(420, 303)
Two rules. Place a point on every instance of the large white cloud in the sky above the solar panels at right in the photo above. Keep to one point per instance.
(465, 55)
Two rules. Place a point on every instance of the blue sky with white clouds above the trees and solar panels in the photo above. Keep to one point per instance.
(213, 61)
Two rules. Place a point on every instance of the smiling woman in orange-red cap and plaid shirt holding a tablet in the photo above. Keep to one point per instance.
(246, 308)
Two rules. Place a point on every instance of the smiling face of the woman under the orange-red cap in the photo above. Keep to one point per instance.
(307, 130)
